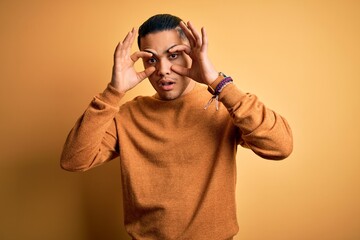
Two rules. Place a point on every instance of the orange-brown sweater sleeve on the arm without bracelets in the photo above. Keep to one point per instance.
(93, 139)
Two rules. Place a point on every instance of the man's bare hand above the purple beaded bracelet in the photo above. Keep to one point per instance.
(201, 69)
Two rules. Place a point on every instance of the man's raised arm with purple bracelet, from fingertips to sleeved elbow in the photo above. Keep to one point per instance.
(264, 131)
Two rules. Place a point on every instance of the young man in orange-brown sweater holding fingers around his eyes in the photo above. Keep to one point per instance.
(178, 160)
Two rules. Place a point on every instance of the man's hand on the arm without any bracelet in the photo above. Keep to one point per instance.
(124, 75)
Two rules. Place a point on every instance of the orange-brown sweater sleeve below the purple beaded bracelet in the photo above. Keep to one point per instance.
(262, 130)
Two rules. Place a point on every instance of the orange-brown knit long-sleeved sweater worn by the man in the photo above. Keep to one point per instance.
(178, 161)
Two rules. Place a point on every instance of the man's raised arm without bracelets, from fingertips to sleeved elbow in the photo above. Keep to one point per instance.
(93, 139)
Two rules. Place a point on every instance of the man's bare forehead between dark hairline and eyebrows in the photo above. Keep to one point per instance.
(160, 41)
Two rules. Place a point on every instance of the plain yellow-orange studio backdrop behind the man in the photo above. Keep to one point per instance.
(301, 58)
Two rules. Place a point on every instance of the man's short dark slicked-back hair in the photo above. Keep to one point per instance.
(158, 23)
